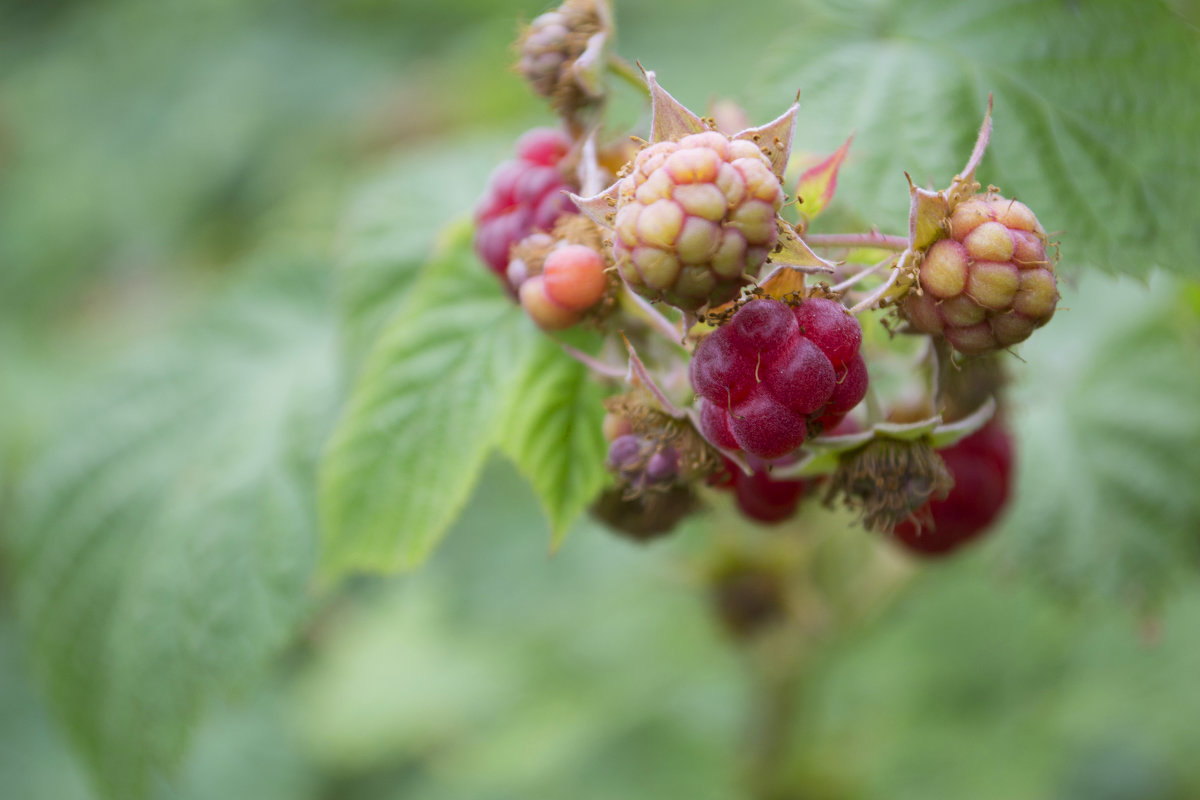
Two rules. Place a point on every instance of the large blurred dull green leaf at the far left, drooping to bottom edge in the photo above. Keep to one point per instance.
(161, 545)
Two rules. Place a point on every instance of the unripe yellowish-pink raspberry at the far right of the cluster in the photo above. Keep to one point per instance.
(991, 285)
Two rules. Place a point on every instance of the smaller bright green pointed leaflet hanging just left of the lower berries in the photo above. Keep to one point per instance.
(555, 435)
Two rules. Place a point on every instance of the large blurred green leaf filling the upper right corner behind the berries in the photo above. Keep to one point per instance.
(1095, 121)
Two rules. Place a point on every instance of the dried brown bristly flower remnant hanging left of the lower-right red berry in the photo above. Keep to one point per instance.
(889, 480)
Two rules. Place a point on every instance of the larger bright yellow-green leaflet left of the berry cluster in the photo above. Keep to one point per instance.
(423, 418)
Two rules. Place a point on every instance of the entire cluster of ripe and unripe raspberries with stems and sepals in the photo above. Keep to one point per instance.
(688, 220)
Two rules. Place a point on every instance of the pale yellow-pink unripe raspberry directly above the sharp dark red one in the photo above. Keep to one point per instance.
(695, 218)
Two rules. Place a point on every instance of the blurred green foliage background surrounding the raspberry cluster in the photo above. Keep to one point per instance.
(207, 210)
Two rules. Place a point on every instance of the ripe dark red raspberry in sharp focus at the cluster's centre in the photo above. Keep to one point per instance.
(772, 372)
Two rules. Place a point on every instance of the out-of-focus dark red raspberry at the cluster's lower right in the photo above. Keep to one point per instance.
(982, 466)
